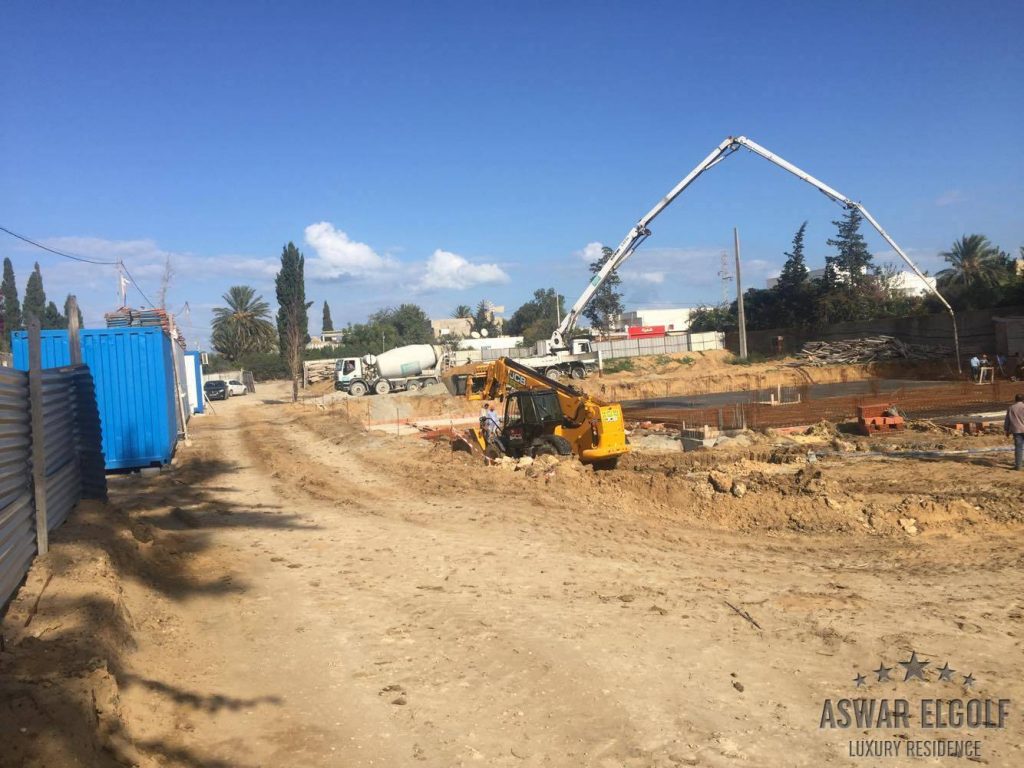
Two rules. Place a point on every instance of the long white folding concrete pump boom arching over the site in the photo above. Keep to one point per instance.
(642, 232)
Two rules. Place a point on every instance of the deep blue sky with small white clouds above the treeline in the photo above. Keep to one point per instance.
(443, 153)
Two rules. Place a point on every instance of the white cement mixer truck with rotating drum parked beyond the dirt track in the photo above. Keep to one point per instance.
(395, 371)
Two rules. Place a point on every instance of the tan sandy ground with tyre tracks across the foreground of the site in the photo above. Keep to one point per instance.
(297, 591)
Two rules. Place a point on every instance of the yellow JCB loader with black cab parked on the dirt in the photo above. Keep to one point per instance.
(542, 416)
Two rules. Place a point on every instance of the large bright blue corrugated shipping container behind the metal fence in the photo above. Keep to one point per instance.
(134, 373)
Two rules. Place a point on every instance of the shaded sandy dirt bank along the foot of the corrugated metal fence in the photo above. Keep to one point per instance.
(66, 633)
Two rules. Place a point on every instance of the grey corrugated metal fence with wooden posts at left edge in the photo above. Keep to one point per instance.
(73, 463)
